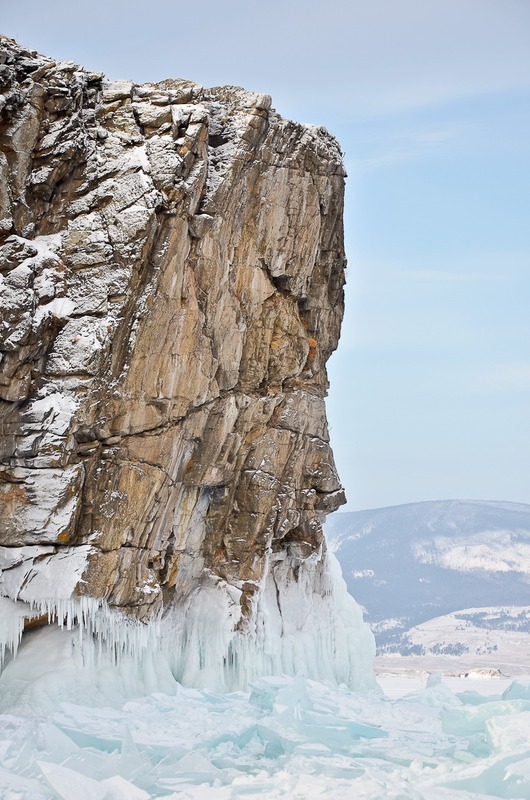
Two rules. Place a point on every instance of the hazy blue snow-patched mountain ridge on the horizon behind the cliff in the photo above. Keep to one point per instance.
(408, 564)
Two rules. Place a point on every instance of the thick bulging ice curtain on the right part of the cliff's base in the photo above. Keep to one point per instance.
(306, 625)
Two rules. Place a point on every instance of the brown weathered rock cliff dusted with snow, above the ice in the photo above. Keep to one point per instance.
(172, 272)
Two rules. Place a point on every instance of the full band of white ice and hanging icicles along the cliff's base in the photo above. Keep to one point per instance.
(304, 622)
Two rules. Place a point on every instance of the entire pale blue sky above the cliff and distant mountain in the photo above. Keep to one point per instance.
(430, 392)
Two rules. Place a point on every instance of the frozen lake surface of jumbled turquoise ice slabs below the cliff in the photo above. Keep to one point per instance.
(287, 737)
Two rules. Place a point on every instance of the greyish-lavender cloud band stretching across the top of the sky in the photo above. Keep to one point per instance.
(368, 56)
